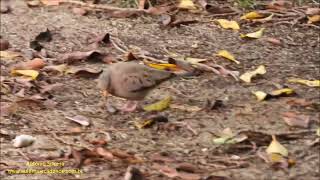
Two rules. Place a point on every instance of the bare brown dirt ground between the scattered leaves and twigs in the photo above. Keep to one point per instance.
(297, 56)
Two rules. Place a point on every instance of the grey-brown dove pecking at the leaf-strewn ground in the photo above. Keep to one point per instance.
(131, 81)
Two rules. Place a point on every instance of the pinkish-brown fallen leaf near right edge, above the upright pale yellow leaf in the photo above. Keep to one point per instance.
(297, 120)
